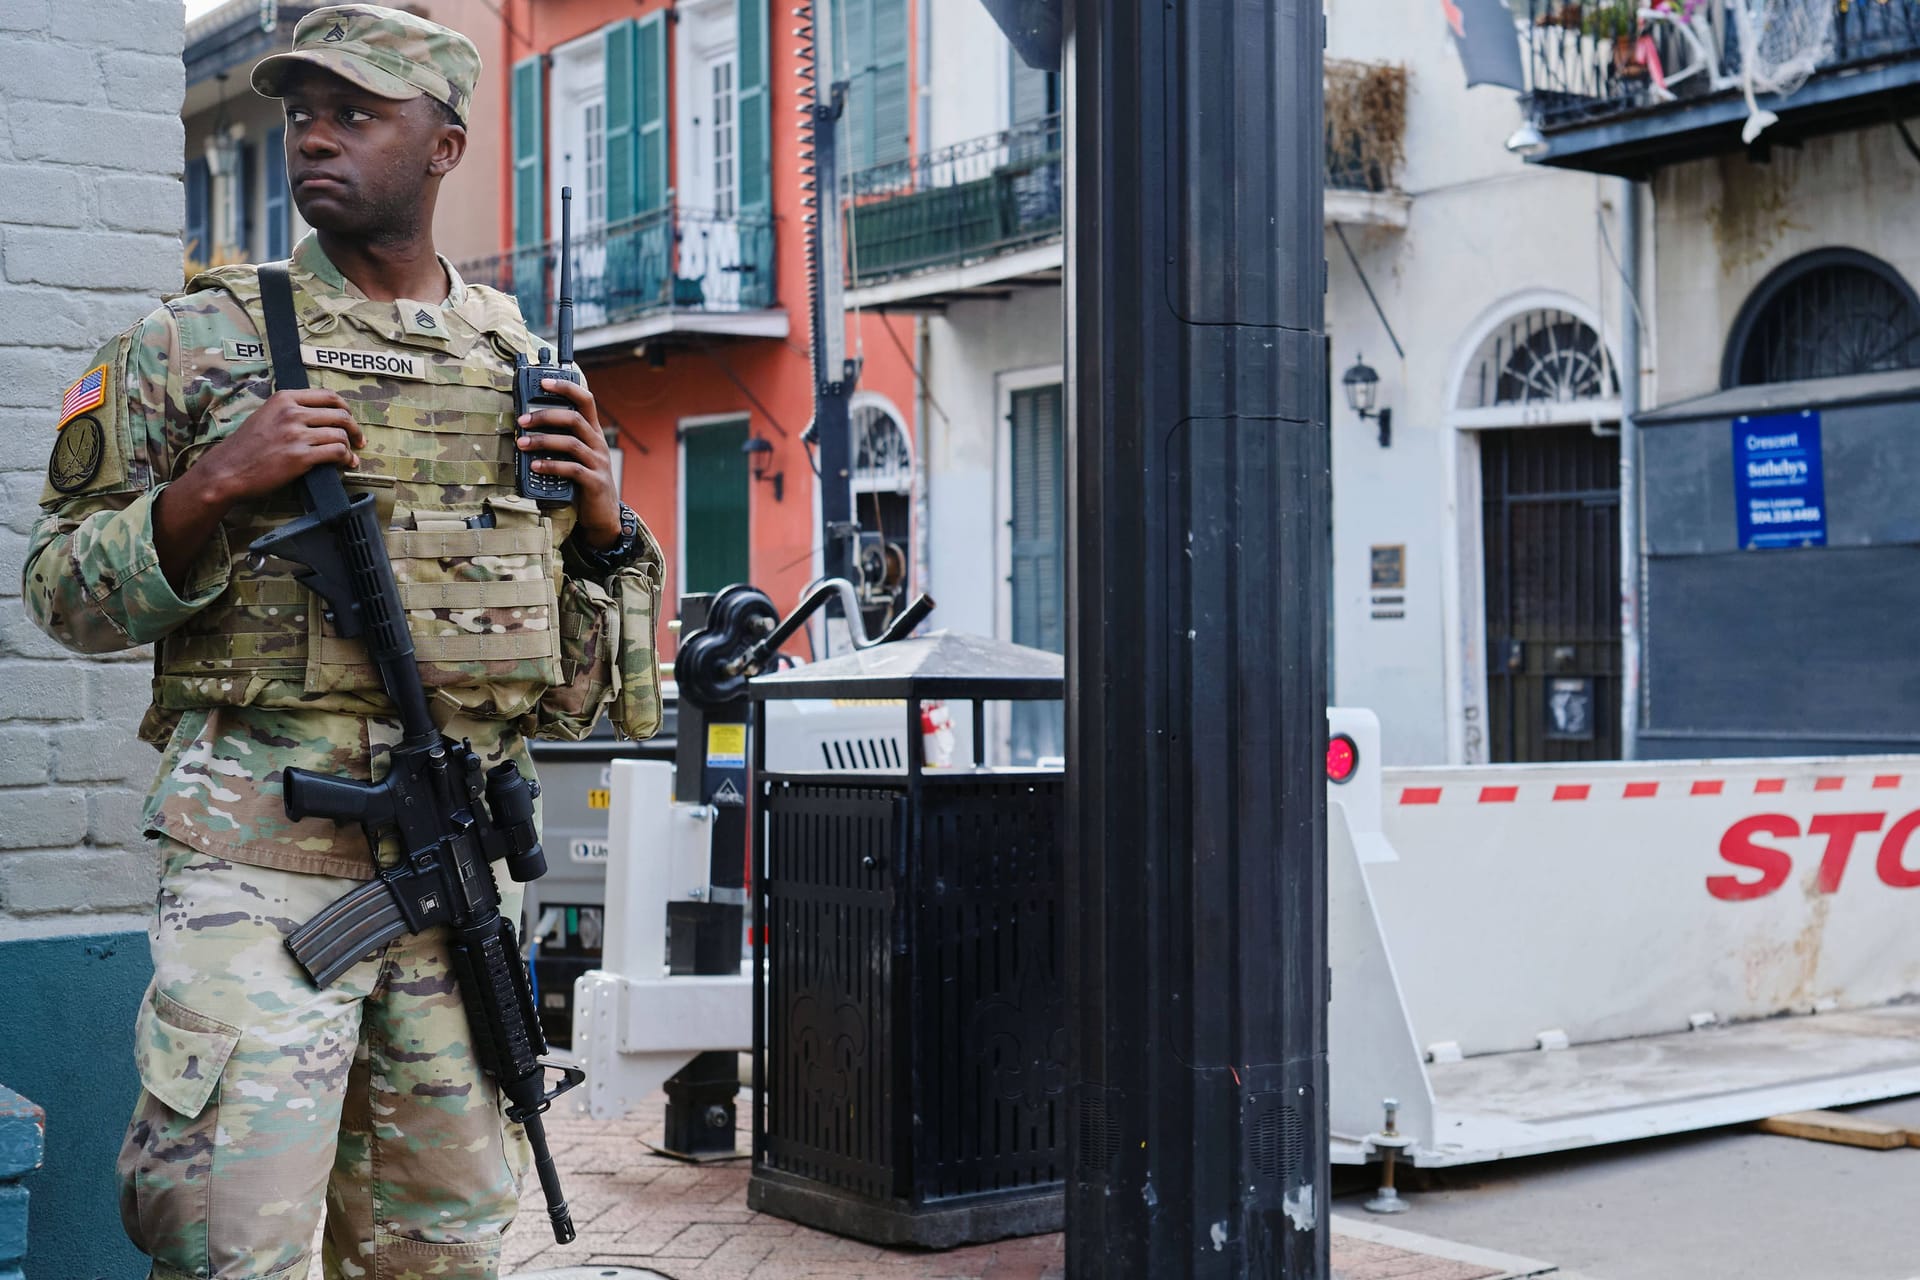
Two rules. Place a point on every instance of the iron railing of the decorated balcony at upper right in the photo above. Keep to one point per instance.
(1596, 60)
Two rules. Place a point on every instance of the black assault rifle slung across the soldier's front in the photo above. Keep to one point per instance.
(448, 818)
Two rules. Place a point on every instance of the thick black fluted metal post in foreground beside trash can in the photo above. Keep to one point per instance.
(1197, 642)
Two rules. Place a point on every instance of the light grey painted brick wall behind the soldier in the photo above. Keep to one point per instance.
(91, 214)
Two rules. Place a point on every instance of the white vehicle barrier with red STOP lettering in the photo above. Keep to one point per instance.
(1535, 959)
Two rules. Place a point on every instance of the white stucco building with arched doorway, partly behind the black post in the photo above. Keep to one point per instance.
(1491, 275)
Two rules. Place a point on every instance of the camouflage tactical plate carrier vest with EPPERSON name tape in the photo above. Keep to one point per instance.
(477, 565)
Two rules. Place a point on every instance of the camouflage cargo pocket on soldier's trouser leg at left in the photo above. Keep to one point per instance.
(168, 1158)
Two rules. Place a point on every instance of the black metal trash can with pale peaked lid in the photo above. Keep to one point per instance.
(911, 968)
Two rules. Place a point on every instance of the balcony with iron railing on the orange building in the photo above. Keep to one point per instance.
(671, 272)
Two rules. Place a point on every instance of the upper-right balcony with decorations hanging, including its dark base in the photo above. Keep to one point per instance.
(1627, 87)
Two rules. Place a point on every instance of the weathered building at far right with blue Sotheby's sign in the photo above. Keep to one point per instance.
(1779, 548)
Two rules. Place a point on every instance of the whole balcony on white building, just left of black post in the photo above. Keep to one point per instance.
(961, 222)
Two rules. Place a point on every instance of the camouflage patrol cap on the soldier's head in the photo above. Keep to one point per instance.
(387, 53)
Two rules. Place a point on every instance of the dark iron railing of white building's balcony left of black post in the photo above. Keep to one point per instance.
(959, 204)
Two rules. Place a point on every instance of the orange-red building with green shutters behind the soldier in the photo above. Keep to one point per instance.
(677, 128)
